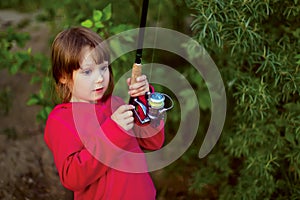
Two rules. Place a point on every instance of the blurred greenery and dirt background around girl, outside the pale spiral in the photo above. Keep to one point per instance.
(256, 46)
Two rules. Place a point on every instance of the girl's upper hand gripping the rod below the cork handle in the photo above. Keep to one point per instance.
(139, 88)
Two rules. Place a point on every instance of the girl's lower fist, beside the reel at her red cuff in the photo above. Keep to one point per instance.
(123, 116)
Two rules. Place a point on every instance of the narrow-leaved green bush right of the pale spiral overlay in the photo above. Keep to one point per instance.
(256, 45)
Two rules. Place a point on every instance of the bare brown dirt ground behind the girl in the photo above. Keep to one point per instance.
(27, 171)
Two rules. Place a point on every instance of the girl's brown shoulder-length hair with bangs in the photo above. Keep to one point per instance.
(66, 54)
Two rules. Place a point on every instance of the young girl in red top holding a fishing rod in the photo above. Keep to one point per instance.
(84, 160)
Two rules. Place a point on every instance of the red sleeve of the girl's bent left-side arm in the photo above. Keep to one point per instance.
(76, 165)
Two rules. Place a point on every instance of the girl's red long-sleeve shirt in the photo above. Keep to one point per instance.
(93, 154)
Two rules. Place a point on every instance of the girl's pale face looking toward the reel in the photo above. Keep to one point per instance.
(91, 80)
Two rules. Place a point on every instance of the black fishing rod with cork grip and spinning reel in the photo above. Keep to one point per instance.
(153, 109)
